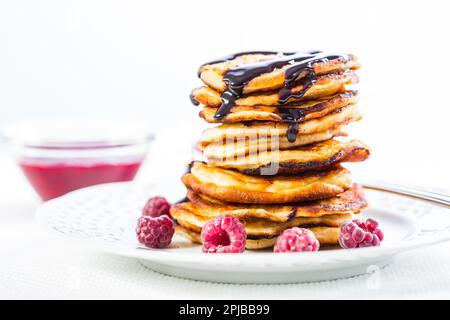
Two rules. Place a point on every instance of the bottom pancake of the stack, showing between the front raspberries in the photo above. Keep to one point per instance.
(325, 235)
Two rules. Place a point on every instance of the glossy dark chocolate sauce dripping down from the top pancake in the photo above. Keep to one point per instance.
(300, 72)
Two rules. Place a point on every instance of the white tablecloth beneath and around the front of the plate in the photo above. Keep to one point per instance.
(36, 265)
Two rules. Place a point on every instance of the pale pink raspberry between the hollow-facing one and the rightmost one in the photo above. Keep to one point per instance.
(296, 240)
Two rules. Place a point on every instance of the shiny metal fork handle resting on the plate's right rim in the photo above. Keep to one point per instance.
(440, 199)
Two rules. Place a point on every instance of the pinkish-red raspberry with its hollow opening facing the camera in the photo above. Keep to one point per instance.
(224, 234)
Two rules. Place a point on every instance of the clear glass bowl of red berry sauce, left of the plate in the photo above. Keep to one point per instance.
(61, 156)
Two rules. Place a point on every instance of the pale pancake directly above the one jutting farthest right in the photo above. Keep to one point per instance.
(241, 147)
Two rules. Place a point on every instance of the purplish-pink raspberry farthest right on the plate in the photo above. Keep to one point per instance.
(359, 234)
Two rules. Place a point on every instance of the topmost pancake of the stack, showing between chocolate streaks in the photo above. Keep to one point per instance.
(212, 73)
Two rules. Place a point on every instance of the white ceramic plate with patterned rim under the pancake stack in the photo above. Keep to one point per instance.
(105, 217)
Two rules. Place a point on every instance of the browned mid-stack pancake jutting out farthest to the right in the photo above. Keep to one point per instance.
(318, 156)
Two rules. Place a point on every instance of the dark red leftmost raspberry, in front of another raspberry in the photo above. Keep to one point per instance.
(155, 232)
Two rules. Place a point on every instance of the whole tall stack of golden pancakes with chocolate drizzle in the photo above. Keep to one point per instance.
(274, 161)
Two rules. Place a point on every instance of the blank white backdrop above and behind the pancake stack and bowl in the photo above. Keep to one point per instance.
(140, 58)
